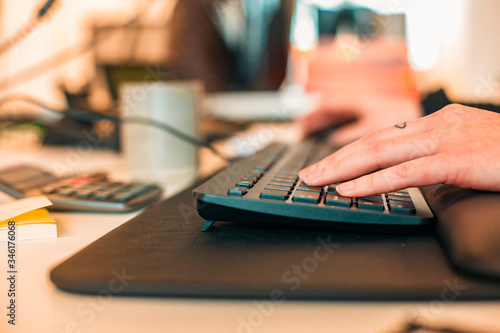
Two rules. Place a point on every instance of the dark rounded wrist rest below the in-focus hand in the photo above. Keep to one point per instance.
(468, 227)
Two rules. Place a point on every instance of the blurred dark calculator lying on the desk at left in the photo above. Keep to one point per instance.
(92, 192)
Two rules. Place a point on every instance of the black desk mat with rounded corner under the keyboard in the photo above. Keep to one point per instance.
(162, 252)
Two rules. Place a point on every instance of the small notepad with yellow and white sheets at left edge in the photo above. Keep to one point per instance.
(27, 219)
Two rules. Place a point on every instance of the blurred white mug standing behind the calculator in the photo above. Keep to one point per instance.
(154, 154)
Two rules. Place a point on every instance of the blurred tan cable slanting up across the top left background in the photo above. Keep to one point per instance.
(67, 54)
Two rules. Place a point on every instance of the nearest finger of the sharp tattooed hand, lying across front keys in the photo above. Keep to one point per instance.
(419, 172)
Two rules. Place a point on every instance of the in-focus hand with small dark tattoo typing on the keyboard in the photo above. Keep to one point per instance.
(457, 145)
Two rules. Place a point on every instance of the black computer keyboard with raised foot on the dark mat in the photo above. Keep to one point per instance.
(265, 188)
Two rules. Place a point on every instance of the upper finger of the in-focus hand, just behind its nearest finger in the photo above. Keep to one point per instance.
(377, 155)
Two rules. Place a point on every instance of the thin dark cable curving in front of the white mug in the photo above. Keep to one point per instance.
(89, 116)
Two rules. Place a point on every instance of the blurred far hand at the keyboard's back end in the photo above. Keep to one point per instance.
(369, 111)
